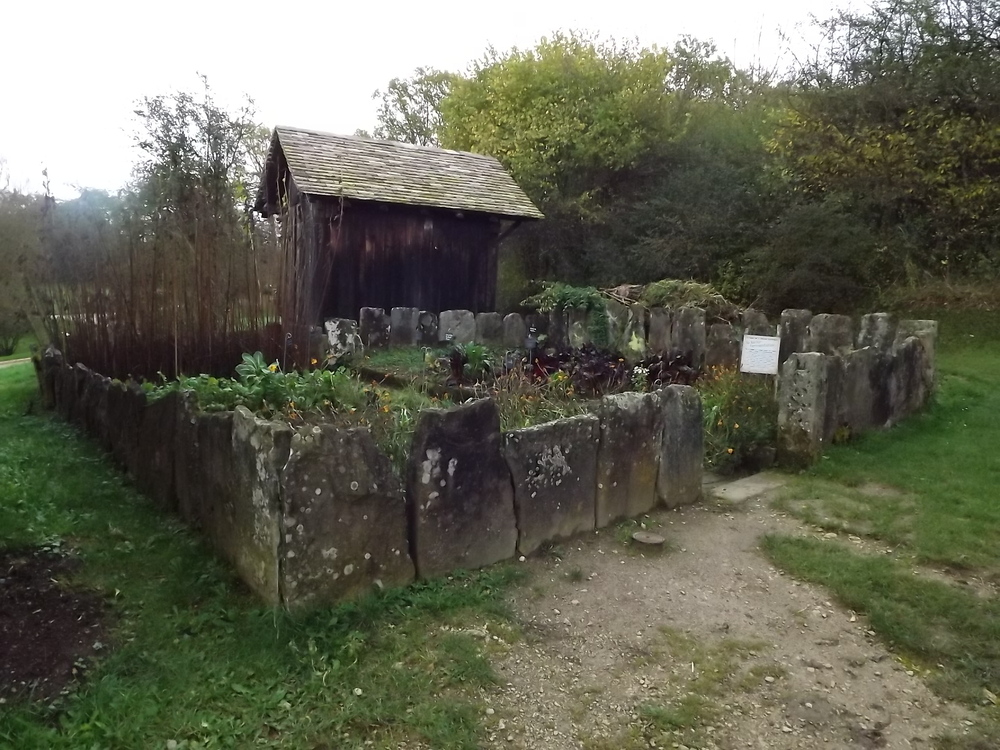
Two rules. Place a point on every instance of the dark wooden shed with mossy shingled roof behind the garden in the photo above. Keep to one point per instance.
(368, 223)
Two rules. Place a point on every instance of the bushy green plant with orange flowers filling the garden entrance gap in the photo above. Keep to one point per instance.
(740, 417)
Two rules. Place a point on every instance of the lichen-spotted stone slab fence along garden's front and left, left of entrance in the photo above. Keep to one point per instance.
(315, 515)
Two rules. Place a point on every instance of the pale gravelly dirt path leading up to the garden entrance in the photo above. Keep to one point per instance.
(705, 643)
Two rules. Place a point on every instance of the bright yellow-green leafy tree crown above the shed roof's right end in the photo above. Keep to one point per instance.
(571, 103)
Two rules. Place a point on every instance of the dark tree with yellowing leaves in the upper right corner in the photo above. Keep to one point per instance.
(899, 118)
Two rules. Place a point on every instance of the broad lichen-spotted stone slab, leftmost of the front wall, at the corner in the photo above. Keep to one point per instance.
(344, 518)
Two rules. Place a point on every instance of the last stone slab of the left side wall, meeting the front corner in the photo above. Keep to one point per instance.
(247, 526)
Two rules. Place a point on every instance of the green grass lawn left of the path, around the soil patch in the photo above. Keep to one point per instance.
(194, 661)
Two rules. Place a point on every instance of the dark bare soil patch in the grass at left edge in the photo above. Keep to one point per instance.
(48, 630)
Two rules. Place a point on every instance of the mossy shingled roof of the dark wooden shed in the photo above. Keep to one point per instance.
(389, 172)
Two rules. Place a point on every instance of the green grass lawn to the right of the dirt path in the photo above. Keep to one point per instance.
(928, 491)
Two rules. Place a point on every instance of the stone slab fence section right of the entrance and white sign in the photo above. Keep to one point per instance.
(840, 377)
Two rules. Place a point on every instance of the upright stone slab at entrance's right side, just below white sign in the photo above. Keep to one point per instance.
(801, 408)
